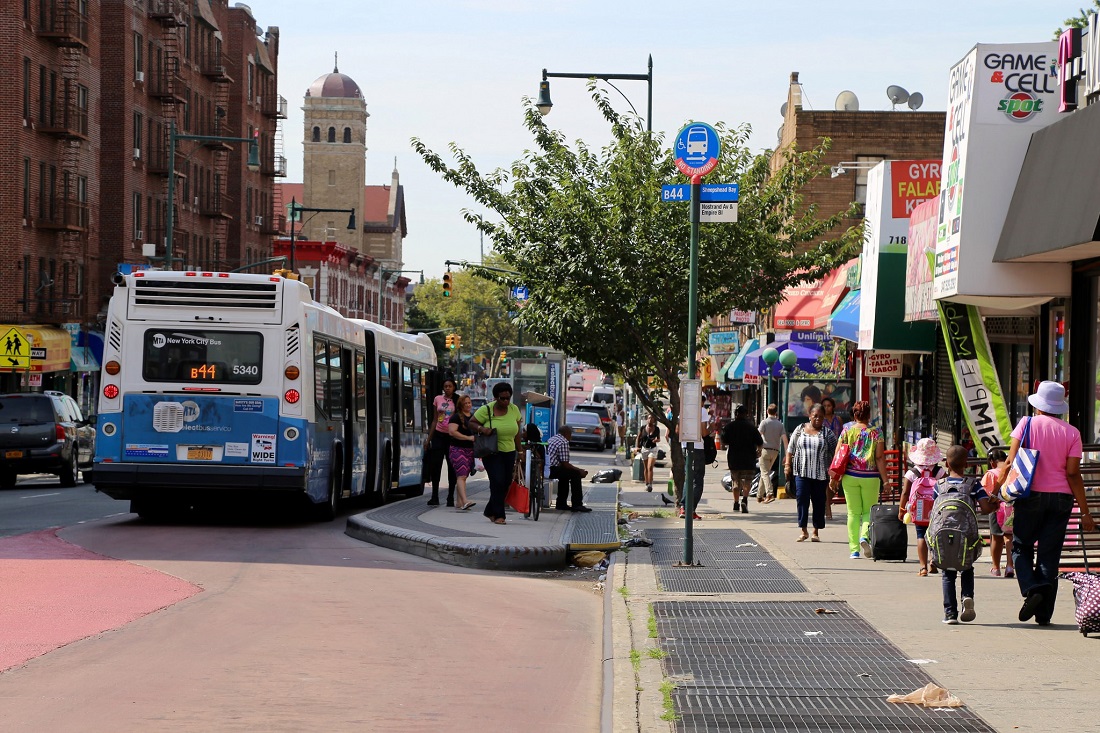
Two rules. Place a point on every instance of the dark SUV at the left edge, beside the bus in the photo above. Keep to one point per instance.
(45, 433)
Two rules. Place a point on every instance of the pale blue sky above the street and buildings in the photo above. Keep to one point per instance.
(458, 71)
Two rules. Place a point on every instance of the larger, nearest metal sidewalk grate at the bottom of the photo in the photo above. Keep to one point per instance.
(779, 666)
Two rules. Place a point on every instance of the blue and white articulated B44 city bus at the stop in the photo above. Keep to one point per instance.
(227, 384)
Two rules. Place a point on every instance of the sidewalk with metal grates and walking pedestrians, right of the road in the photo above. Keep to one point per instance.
(745, 661)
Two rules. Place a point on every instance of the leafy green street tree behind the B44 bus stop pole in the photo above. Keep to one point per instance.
(607, 262)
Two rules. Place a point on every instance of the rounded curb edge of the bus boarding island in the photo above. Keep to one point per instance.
(481, 557)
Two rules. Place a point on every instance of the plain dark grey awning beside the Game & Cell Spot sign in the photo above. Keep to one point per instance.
(1055, 211)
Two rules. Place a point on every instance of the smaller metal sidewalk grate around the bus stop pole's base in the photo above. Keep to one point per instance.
(731, 562)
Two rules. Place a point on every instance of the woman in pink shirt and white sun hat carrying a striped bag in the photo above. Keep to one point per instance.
(1043, 516)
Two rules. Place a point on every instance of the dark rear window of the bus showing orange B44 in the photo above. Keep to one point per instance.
(203, 357)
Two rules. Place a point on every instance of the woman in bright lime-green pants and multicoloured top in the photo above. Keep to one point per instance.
(867, 469)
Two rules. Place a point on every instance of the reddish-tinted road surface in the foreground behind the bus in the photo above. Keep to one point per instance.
(271, 625)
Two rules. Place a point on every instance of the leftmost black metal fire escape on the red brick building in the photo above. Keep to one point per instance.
(64, 116)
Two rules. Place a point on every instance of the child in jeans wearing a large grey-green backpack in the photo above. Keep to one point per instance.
(953, 533)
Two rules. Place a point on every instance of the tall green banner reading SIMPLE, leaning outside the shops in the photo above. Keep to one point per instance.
(975, 375)
